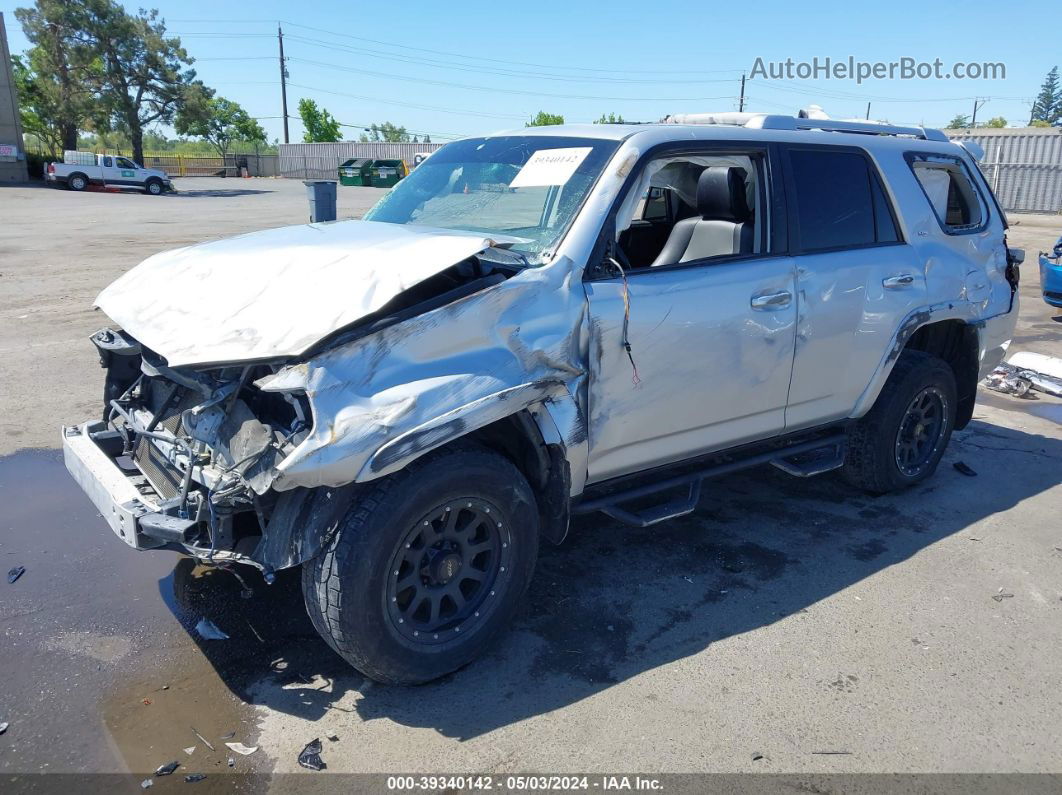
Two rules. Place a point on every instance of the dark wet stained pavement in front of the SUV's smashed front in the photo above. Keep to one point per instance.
(104, 671)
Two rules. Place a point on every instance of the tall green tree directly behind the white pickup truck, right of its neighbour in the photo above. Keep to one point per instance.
(144, 77)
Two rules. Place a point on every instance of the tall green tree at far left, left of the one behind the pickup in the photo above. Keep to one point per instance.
(57, 83)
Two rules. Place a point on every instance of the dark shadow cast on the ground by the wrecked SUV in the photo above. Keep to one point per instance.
(613, 602)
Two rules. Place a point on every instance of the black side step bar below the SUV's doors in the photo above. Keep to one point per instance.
(802, 460)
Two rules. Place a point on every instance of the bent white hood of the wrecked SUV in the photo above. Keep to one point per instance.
(276, 293)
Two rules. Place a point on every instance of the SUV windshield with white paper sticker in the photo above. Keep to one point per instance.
(524, 187)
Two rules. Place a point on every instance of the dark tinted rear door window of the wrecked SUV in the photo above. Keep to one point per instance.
(841, 203)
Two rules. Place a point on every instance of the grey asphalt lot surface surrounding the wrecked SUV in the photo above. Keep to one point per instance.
(785, 627)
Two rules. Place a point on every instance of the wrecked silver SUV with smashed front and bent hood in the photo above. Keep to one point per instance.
(538, 324)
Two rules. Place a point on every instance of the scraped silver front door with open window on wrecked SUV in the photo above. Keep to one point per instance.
(711, 335)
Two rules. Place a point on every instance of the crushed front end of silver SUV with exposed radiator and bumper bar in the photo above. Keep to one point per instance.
(184, 459)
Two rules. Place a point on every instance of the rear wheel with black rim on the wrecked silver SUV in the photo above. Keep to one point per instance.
(903, 438)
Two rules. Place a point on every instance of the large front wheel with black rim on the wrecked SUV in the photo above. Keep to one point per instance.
(427, 567)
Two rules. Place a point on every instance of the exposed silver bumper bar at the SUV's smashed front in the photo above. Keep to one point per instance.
(91, 453)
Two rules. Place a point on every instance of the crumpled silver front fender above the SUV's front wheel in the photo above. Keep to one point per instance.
(382, 402)
